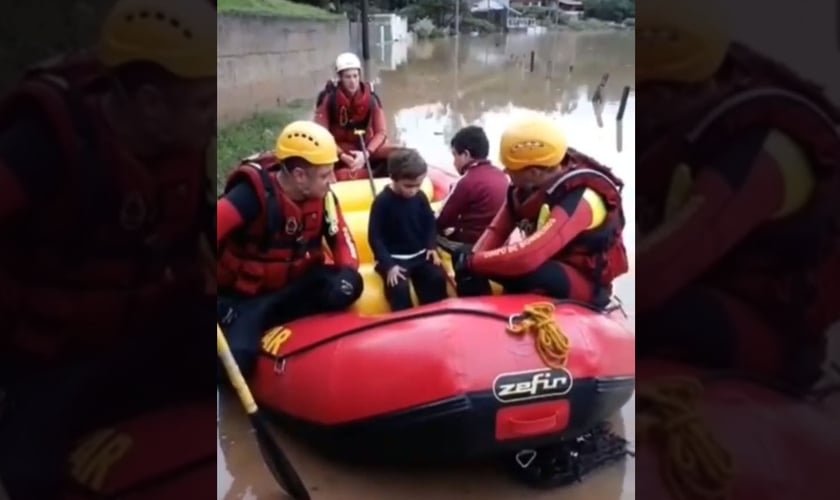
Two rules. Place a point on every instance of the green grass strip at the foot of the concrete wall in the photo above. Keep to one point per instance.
(253, 135)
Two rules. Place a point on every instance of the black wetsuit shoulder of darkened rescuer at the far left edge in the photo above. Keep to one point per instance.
(30, 148)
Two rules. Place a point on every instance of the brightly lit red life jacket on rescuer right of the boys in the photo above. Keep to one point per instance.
(599, 252)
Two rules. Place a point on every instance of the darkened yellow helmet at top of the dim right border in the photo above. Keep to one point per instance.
(681, 42)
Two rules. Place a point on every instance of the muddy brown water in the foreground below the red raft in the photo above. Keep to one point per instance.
(248, 478)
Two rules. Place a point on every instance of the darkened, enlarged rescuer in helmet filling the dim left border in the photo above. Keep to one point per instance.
(103, 161)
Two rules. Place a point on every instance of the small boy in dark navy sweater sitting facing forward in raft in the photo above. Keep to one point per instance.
(402, 234)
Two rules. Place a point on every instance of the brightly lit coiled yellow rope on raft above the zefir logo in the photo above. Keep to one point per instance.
(552, 344)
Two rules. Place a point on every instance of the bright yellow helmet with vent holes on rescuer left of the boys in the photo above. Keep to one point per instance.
(307, 140)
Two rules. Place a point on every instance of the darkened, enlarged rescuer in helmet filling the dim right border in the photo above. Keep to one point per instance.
(738, 190)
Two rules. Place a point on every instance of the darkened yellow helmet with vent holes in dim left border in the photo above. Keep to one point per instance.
(180, 36)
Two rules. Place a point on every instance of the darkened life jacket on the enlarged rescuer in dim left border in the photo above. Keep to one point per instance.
(119, 242)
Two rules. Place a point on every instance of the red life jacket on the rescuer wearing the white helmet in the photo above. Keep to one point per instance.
(346, 115)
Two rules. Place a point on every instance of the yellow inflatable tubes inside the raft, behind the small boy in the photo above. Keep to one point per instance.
(355, 200)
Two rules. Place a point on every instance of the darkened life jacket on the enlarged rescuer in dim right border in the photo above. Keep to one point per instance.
(774, 269)
